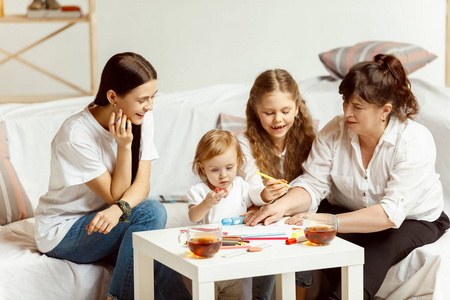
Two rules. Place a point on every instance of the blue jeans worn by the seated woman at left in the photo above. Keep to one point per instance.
(79, 247)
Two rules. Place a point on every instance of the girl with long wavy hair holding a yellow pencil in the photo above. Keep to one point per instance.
(277, 141)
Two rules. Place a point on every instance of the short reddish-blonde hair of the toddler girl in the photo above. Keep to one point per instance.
(215, 142)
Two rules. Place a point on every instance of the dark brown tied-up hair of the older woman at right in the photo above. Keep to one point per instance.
(381, 81)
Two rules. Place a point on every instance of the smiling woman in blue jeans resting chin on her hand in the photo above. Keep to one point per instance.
(100, 177)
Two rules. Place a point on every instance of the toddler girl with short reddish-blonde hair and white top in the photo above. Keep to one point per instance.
(222, 194)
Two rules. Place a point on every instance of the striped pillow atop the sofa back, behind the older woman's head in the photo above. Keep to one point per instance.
(339, 61)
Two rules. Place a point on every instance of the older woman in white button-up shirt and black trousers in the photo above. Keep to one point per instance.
(377, 167)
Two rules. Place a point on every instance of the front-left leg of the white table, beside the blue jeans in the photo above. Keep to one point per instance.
(143, 276)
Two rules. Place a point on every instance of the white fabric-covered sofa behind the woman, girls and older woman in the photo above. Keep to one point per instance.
(180, 120)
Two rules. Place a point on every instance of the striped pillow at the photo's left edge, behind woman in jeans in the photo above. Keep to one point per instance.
(14, 202)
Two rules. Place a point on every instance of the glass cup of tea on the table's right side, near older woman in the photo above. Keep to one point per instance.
(320, 229)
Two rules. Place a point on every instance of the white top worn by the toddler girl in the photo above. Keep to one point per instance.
(234, 205)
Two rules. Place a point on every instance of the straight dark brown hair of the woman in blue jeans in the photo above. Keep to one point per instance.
(122, 73)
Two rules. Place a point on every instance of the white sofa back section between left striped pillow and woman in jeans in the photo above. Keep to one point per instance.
(32, 128)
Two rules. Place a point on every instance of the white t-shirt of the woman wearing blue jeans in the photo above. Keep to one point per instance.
(82, 150)
